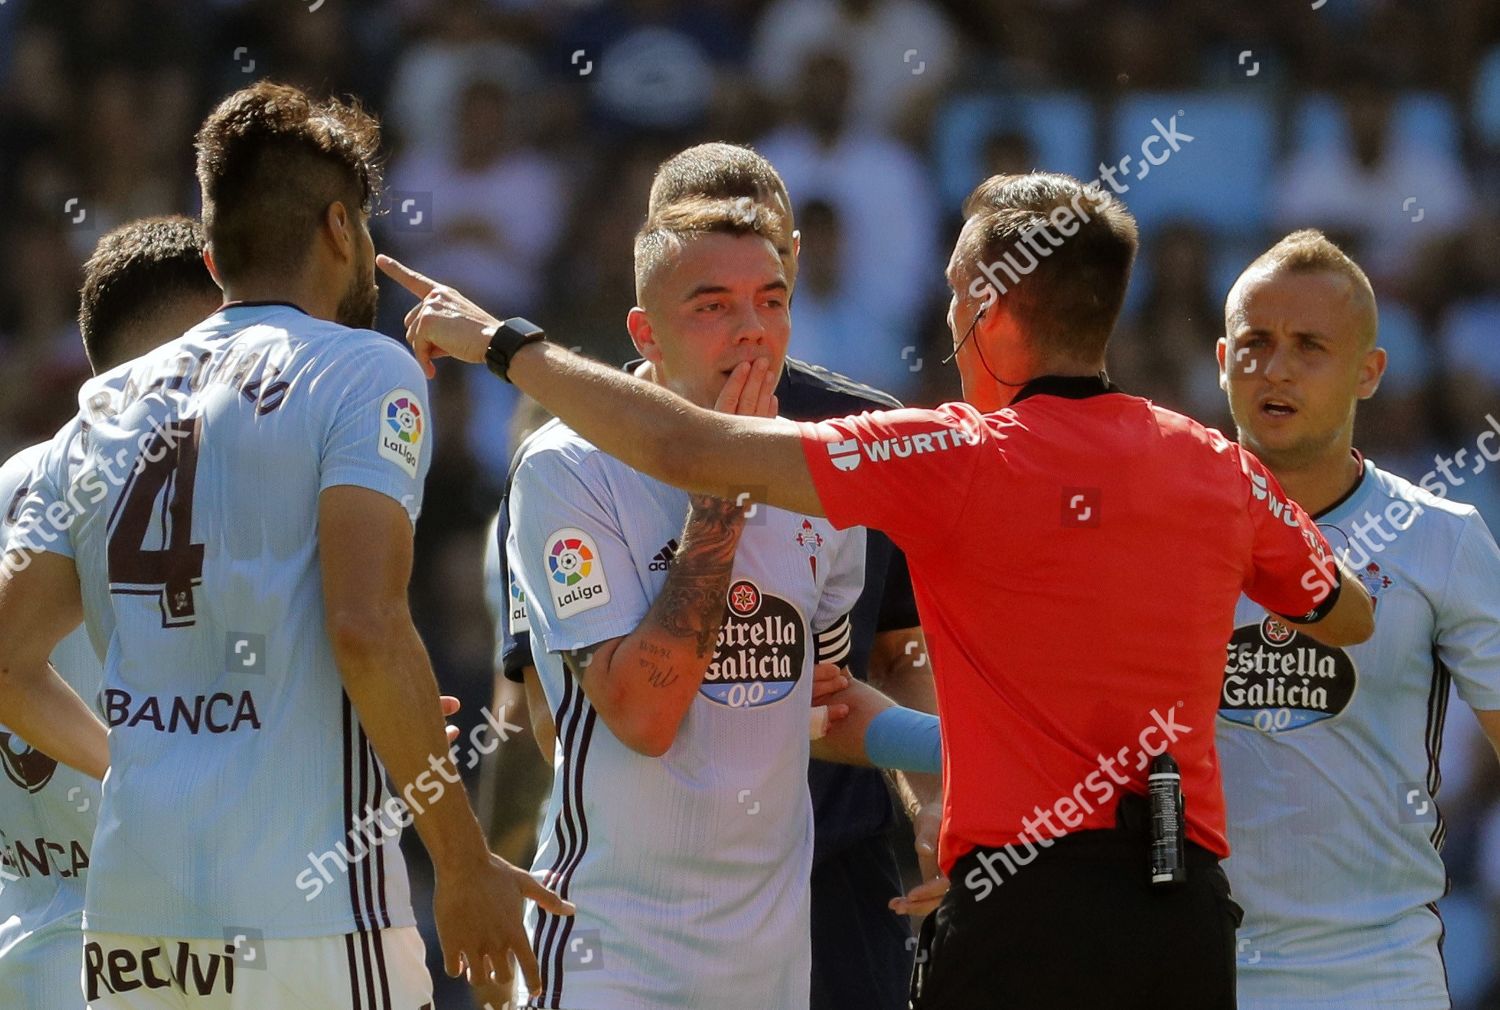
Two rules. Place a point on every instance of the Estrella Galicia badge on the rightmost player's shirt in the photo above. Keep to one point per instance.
(1277, 679)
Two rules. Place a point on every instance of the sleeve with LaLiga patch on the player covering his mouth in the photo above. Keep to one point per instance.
(571, 555)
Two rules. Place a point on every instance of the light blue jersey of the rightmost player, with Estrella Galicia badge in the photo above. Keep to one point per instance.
(1331, 760)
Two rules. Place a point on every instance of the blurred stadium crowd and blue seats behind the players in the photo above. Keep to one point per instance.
(523, 136)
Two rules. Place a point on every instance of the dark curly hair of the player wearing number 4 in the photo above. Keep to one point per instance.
(271, 161)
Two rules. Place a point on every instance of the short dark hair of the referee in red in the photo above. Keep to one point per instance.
(1058, 256)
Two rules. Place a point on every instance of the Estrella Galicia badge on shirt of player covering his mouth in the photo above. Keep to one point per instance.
(760, 654)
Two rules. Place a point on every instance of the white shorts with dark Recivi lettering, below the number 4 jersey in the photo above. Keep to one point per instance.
(382, 970)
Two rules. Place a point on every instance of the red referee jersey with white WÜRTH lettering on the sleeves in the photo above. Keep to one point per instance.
(1078, 559)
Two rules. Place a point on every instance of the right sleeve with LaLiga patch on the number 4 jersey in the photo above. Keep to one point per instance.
(380, 434)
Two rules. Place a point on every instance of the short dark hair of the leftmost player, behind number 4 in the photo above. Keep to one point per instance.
(136, 274)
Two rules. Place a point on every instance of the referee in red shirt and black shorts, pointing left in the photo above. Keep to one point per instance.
(1076, 553)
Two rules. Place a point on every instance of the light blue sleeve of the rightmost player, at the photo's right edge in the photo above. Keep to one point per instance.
(1469, 618)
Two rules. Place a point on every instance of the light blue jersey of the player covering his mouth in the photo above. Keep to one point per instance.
(691, 871)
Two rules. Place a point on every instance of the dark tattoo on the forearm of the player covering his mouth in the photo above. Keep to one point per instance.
(692, 601)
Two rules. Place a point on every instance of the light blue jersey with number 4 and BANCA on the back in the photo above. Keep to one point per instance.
(242, 789)
